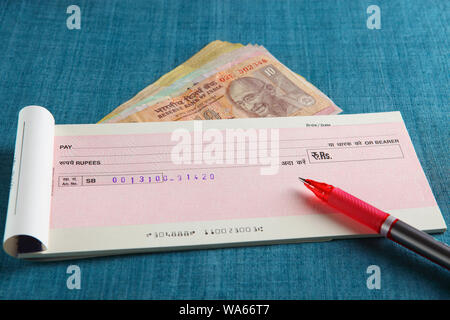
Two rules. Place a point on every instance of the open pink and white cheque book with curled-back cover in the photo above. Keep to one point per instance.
(104, 189)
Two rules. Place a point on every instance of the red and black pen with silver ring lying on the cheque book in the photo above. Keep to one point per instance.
(382, 222)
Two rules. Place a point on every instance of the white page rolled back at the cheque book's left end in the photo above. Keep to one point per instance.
(28, 216)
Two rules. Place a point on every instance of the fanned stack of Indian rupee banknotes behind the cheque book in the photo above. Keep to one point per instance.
(224, 81)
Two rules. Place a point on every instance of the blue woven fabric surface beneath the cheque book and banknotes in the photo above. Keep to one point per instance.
(81, 75)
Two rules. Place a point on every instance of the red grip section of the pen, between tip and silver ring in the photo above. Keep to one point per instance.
(357, 209)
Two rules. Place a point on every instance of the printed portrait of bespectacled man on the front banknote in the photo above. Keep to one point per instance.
(260, 99)
